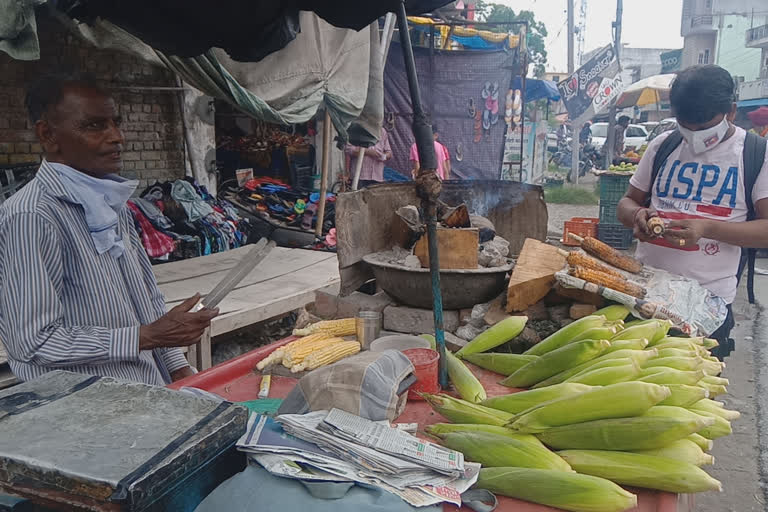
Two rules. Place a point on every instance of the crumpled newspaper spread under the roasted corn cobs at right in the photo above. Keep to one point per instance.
(689, 306)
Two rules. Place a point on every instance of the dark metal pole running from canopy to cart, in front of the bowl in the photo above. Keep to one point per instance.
(428, 185)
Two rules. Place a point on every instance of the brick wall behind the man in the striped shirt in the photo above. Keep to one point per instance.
(151, 119)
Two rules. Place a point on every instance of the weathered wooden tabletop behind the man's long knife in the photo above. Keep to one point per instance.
(200, 276)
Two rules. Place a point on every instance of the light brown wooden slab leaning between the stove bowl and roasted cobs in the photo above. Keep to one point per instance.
(533, 275)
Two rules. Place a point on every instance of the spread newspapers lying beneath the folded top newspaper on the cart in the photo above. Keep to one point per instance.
(315, 455)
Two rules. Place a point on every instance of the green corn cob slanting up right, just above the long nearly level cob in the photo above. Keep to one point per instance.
(615, 401)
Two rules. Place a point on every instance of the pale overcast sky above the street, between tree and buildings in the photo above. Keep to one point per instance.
(646, 24)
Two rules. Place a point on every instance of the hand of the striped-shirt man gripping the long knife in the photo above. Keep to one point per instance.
(178, 327)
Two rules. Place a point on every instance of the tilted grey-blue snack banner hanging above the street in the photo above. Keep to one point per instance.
(592, 87)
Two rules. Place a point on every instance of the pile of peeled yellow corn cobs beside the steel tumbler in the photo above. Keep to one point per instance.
(321, 344)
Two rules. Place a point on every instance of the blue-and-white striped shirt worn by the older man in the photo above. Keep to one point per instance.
(64, 306)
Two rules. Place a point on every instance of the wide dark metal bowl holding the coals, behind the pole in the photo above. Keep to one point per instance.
(461, 288)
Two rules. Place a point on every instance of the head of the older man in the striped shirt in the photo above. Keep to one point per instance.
(83, 132)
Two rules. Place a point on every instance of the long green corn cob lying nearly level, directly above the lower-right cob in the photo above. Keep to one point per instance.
(637, 433)
